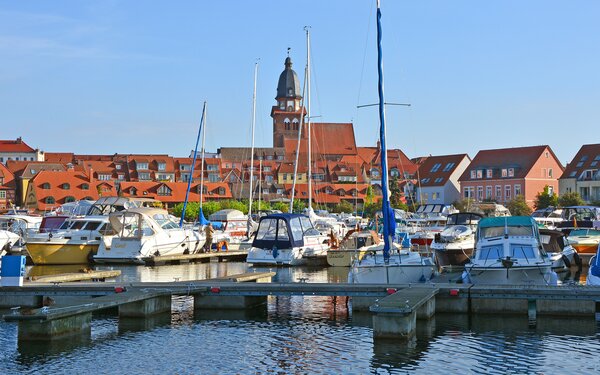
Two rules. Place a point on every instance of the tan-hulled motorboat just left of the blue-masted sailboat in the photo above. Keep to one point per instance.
(351, 247)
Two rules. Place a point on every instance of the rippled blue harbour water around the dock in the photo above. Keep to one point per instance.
(301, 335)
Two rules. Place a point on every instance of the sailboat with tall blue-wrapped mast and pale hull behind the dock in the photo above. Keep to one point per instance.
(388, 263)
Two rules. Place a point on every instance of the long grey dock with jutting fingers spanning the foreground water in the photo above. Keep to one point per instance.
(395, 309)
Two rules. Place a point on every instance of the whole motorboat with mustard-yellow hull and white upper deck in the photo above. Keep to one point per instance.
(74, 242)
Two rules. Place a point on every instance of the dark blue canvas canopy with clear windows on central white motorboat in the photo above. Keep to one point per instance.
(283, 231)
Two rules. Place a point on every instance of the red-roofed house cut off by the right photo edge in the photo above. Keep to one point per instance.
(582, 174)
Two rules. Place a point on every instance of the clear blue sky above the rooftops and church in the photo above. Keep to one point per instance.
(104, 77)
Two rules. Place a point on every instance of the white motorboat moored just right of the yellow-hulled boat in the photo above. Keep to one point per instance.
(140, 233)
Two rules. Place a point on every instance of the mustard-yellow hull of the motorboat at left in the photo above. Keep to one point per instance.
(61, 253)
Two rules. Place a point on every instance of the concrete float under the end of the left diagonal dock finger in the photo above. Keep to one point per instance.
(44, 330)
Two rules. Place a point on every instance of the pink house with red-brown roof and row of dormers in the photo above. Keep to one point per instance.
(502, 174)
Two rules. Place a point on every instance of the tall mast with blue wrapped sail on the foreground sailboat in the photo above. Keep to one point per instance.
(386, 209)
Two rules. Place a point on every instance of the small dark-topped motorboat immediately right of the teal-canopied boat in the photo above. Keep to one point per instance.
(559, 249)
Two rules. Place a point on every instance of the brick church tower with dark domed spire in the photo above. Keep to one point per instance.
(287, 113)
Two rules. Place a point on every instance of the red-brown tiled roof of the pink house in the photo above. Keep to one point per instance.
(521, 159)
